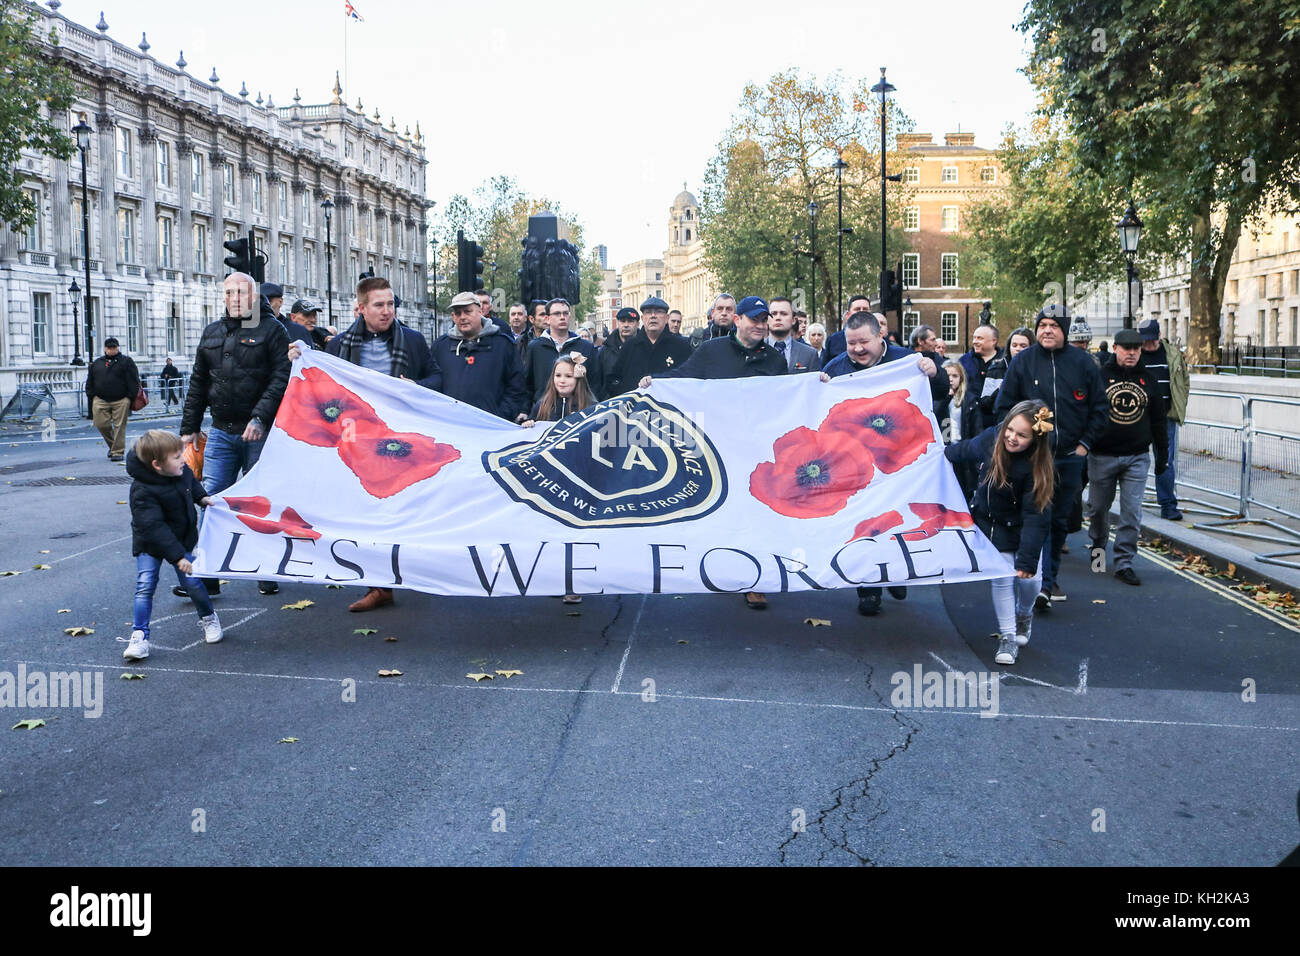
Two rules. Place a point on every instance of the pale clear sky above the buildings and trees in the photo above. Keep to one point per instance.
(642, 93)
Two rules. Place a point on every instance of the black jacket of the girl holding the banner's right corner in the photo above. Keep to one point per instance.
(1007, 514)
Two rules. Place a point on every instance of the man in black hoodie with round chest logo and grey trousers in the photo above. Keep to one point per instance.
(1120, 457)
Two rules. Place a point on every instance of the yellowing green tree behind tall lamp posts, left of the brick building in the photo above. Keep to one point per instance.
(775, 159)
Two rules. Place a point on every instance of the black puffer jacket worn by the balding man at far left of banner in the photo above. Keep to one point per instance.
(240, 373)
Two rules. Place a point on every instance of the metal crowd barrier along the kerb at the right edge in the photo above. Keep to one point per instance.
(1258, 468)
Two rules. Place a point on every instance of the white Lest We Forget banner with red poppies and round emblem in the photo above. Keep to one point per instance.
(752, 485)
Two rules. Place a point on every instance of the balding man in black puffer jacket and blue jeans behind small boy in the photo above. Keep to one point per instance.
(241, 371)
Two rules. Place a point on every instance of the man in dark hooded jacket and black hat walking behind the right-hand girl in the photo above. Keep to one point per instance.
(1069, 383)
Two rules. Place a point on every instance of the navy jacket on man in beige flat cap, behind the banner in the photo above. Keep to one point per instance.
(483, 371)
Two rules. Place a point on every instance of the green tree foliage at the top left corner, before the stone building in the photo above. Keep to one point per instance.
(33, 88)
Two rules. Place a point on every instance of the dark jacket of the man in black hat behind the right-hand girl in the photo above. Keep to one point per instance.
(1069, 383)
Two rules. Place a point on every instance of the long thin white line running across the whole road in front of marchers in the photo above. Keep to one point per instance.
(636, 695)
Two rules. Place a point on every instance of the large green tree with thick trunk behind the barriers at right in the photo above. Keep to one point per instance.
(1190, 109)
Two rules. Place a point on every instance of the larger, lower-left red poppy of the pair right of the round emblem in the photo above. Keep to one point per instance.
(814, 474)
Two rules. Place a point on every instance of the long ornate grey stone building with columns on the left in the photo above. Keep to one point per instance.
(176, 167)
